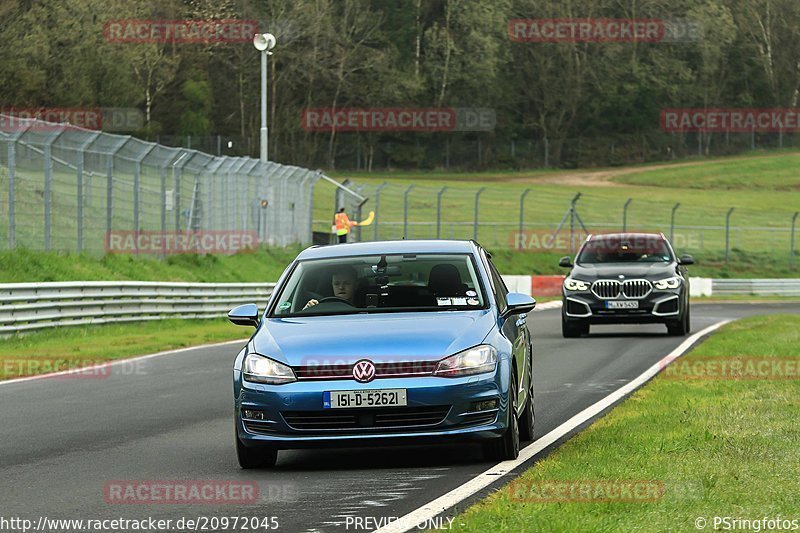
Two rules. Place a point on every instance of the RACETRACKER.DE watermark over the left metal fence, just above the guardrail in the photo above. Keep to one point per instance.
(180, 242)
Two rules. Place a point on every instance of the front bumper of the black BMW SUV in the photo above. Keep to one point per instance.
(657, 307)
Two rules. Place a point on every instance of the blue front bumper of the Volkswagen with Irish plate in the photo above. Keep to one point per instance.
(438, 409)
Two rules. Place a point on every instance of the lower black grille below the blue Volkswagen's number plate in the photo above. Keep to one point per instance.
(396, 417)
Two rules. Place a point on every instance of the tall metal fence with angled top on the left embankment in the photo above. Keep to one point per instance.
(68, 188)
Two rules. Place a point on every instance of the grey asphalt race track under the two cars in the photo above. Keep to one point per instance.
(170, 418)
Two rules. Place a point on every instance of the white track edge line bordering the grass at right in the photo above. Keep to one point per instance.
(439, 505)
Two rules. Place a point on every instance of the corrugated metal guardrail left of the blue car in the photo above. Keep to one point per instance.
(30, 306)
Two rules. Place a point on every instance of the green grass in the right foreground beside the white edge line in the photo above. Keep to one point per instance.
(720, 448)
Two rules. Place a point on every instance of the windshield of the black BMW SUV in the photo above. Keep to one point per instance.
(615, 249)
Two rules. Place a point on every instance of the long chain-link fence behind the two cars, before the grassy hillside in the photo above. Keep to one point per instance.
(540, 218)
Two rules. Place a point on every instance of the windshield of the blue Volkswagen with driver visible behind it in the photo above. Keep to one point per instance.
(380, 283)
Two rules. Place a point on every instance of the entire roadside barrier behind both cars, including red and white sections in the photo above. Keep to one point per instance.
(31, 306)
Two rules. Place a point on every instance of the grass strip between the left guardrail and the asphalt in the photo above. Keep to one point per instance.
(76, 347)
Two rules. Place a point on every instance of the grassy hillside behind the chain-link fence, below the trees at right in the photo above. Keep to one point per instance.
(763, 192)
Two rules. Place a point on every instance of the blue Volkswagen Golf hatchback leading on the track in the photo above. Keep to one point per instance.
(388, 342)
